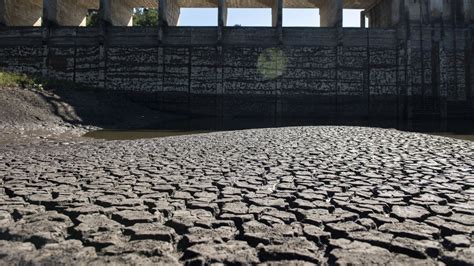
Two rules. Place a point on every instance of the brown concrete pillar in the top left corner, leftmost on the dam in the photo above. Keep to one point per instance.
(21, 12)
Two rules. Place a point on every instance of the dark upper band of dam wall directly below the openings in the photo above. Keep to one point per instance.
(191, 36)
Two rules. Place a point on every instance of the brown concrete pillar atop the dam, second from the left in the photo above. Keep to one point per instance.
(67, 12)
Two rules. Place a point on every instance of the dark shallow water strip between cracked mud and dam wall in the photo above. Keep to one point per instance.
(458, 129)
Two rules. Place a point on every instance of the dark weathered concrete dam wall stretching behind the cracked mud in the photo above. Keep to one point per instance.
(235, 71)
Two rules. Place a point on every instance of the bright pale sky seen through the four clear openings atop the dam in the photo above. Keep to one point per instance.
(262, 17)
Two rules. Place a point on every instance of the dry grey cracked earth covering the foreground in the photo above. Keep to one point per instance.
(290, 196)
